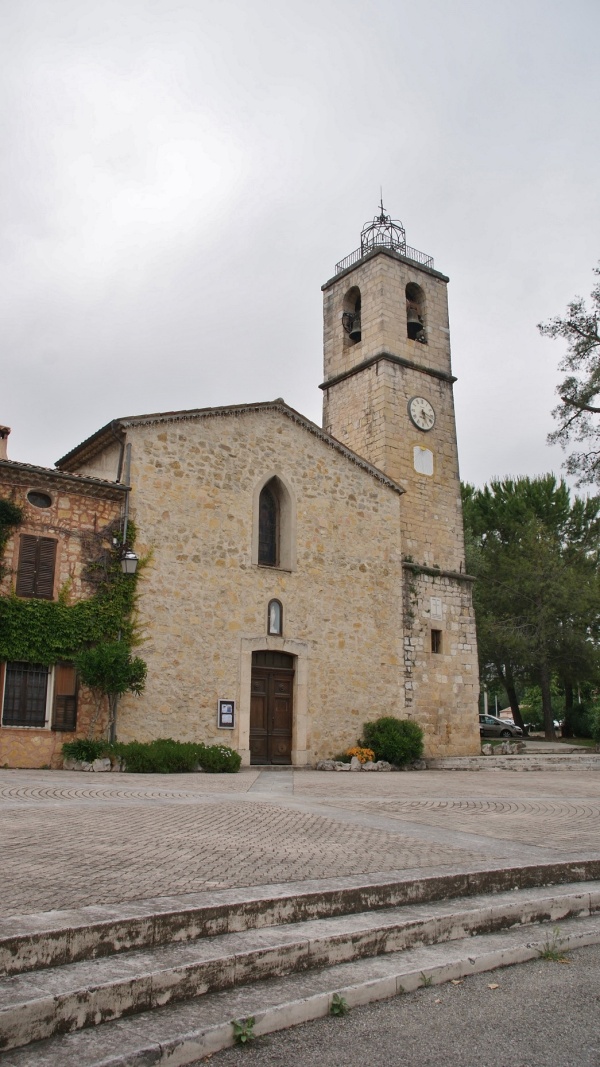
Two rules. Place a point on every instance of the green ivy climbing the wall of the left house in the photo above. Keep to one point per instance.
(46, 632)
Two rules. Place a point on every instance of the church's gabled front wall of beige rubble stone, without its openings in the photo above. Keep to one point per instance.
(203, 602)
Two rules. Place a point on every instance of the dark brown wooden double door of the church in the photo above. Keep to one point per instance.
(272, 710)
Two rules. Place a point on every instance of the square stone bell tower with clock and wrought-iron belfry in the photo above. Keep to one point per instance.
(388, 395)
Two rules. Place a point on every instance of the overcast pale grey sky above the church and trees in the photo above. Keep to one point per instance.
(179, 179)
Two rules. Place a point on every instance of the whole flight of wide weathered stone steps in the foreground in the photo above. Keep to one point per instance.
(161, 982)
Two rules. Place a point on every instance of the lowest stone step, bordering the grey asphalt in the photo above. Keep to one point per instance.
(184, 1033)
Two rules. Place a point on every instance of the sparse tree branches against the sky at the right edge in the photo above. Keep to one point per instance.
(580, 391)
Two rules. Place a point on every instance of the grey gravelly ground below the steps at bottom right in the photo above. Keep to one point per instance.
(543, 1014)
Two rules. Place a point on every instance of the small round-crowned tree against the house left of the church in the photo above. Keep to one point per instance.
(109, 671)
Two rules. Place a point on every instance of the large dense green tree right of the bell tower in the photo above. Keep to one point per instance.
(538, 599)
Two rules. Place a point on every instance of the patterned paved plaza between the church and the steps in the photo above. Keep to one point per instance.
(71, 839)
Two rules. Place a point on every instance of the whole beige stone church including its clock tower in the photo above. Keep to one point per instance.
(306, 580)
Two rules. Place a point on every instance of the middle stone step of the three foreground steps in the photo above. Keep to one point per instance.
(34, 1007)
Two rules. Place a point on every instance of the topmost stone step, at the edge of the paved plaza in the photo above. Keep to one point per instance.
(57, 938)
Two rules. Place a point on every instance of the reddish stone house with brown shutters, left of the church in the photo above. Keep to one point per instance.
(45, 560)
